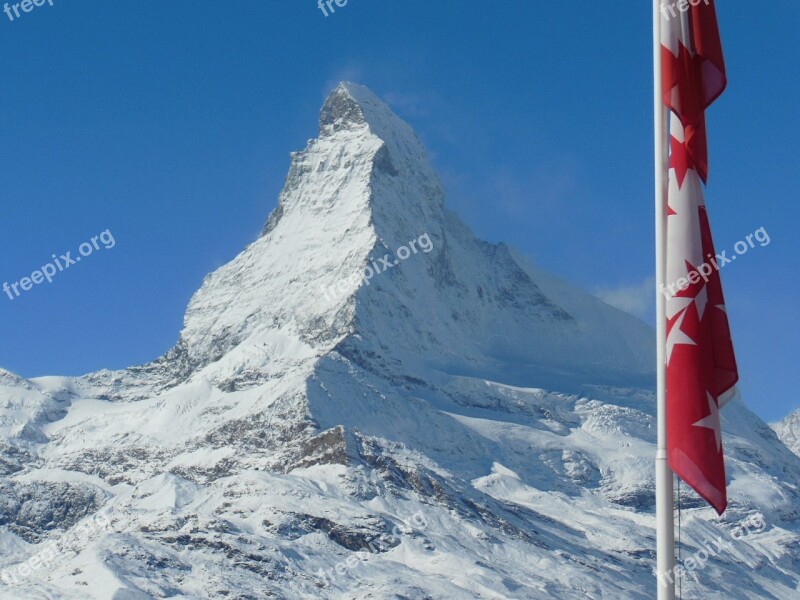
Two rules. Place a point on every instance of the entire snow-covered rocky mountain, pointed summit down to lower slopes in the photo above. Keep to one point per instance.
(369, 402)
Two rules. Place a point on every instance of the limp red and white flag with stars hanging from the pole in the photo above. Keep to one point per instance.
(701, 366)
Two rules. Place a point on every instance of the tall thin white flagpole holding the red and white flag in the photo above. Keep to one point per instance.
(665, 525)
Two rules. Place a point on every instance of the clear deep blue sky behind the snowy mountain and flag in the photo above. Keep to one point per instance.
(170, 124)
